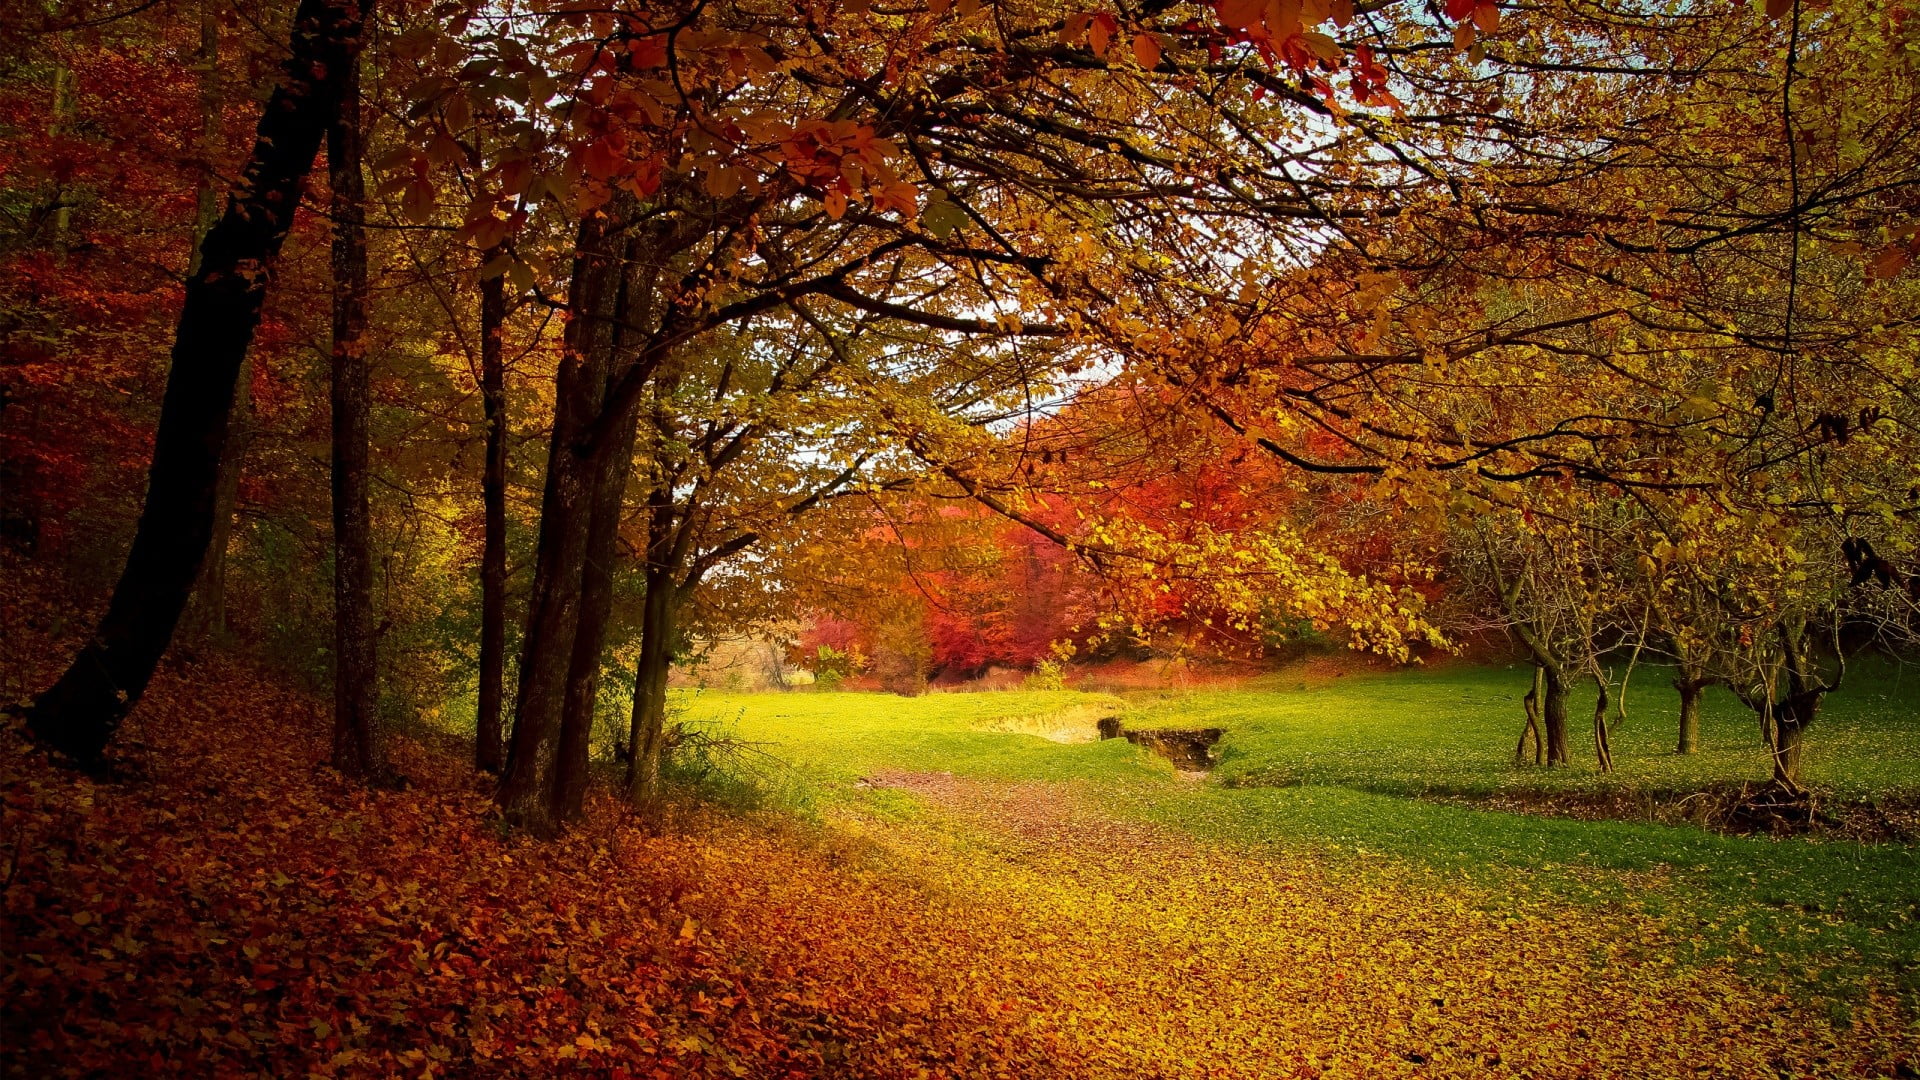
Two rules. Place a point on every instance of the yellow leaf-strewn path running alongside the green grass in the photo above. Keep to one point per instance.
(1163, 956)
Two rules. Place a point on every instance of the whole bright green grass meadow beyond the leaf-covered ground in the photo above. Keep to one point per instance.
(1333, 770)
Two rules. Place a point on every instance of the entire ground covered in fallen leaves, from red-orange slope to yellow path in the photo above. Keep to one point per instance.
(235, 910)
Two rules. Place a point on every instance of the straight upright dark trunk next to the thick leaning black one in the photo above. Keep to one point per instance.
(356, 677)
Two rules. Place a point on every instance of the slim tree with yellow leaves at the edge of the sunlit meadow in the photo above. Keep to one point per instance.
(748, 443)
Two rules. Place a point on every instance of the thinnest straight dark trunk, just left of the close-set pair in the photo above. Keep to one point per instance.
(489, 737)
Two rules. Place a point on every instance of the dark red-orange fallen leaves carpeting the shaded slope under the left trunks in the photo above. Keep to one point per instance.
(243, 910)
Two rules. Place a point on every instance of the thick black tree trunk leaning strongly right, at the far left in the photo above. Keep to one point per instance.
(85, 708)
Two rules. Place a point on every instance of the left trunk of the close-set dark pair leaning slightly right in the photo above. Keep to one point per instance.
(565, 518)
